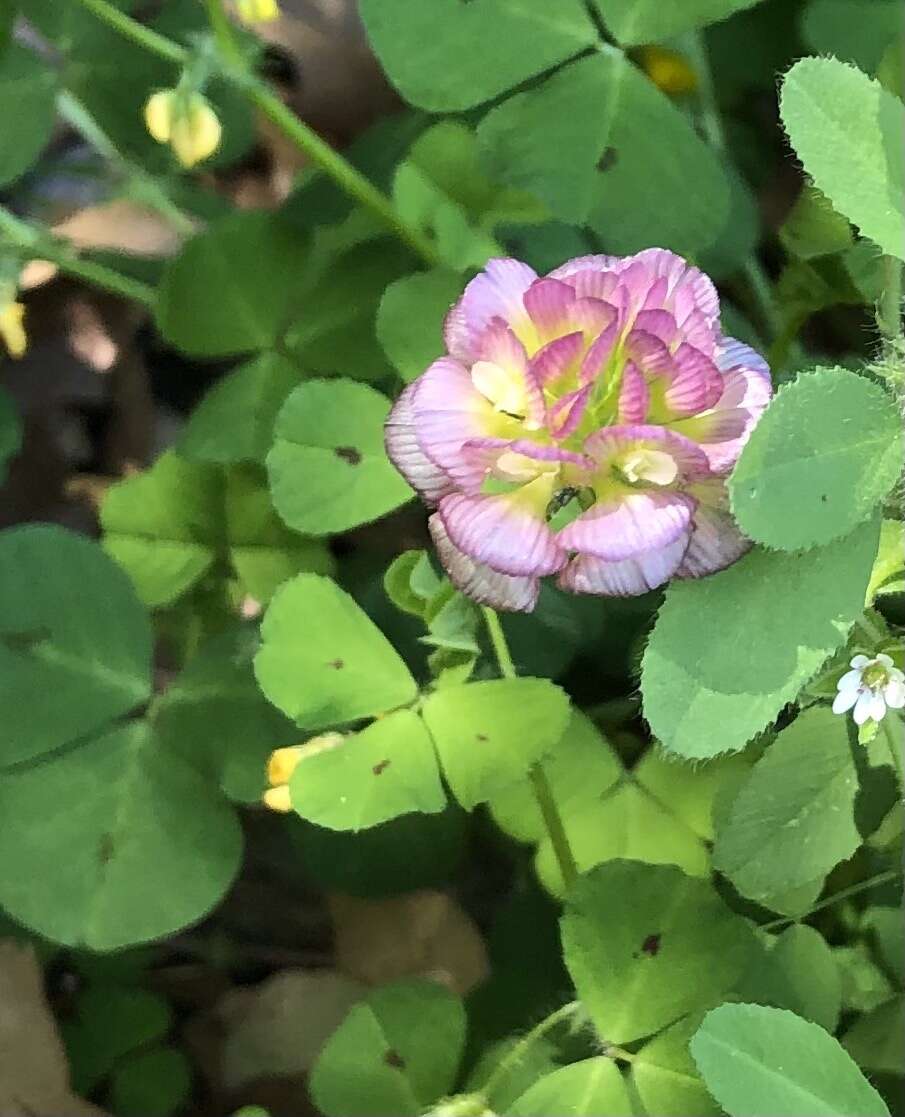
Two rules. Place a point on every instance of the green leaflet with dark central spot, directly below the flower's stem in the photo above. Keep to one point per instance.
(633, 943)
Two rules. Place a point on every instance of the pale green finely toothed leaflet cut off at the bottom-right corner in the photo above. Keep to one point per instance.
(758, 1061)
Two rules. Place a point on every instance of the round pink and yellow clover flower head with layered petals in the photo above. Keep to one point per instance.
(582, 425)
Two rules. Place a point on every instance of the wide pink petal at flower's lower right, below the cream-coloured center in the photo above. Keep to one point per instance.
(630, 524)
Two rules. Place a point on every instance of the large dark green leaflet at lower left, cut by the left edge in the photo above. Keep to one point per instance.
(94, 839)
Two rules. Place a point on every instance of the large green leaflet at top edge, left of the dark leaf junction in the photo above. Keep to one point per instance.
(443, 55)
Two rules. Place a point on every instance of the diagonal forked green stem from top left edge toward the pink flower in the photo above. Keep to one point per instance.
(236, 72)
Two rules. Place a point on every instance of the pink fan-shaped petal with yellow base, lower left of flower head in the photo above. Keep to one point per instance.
(507, 532)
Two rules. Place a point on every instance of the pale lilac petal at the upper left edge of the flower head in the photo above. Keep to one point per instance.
(497, 293)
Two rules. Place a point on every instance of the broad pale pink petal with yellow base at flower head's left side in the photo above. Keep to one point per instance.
(449, 412)
